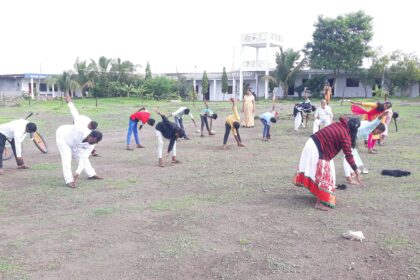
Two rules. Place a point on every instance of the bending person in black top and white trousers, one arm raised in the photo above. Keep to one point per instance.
(170, 131)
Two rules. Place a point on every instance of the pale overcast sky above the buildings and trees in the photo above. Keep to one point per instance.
(177, 35)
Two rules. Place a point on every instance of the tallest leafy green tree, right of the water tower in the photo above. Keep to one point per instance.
(340, 44)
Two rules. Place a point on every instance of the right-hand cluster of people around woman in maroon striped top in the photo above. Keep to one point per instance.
(316, 170)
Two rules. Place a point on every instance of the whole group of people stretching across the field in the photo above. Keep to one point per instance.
(316, 170)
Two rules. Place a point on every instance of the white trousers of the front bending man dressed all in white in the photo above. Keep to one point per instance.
(66, 157)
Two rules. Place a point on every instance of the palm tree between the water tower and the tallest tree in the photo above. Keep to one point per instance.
(288, 66)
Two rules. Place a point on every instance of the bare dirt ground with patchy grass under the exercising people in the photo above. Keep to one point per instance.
(218, 215)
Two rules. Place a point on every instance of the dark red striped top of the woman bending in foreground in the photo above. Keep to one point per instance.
(332, 139)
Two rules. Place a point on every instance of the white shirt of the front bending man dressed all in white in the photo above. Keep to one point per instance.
(73, 136)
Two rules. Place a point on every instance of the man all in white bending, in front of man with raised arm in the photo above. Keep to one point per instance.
(74, 141)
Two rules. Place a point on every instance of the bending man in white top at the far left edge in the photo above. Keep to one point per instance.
(15, 132)
